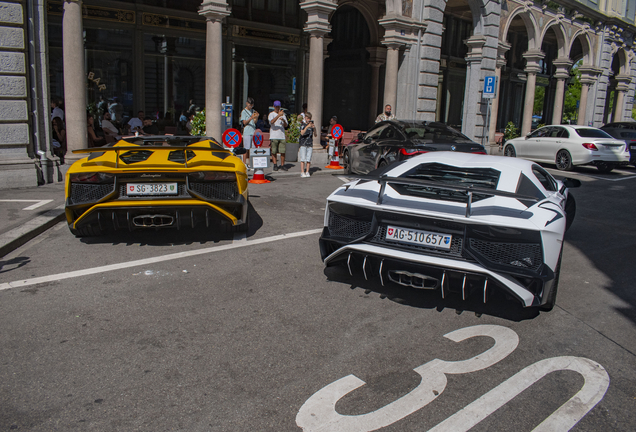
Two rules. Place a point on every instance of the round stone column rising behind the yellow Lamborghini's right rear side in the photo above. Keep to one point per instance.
(214, 13)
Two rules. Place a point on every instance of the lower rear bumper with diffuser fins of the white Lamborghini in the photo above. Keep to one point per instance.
(418, 270)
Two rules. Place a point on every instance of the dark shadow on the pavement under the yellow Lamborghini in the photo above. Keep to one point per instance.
(172, 236)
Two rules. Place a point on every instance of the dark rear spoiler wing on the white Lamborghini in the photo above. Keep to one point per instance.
(469, 190)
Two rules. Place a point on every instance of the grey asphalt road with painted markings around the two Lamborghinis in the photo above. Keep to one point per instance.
(187, 331)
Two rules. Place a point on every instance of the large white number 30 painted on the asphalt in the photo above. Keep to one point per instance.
(318, 413)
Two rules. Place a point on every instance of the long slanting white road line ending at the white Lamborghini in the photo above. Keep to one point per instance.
(154, 260)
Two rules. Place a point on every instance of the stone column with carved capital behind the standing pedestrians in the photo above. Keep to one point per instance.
(317, 26)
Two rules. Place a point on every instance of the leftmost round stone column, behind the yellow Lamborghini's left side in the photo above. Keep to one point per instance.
(74, 79)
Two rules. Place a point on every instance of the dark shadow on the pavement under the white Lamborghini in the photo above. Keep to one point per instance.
(498, 305)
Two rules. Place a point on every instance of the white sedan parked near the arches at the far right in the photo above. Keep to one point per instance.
(567, 146)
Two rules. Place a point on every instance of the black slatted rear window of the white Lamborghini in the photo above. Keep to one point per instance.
(486, 178)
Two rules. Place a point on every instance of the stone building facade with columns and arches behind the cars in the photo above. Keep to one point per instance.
(426, 58)
